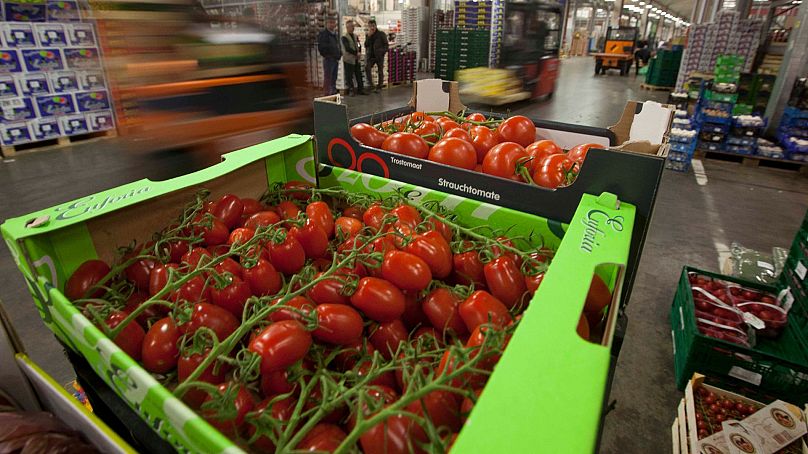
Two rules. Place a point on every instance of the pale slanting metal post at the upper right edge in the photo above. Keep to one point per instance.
(794, 63)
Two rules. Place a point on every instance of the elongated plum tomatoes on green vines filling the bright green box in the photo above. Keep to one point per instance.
(317, 320)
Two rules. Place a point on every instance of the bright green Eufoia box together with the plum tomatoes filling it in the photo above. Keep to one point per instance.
(363, 314)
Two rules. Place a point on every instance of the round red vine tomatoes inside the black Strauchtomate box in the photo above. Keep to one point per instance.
(504, 148)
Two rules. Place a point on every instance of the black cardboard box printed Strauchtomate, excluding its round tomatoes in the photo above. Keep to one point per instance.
(632, 175)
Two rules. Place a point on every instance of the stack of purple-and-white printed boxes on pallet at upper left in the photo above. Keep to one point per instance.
(52, 84)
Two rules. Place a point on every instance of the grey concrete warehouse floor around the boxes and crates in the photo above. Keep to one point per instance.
(694, 223)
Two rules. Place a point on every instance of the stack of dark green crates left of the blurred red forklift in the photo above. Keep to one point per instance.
(460, 49)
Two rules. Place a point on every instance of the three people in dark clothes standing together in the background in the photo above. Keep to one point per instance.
(332, 48)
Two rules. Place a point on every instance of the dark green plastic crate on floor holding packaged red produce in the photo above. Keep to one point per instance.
(777, 365)
